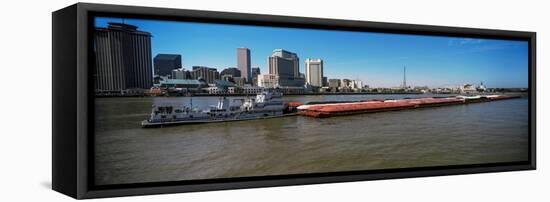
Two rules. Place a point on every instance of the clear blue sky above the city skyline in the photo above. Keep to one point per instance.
(375, 58)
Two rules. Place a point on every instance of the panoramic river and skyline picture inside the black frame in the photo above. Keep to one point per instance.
(179, 101)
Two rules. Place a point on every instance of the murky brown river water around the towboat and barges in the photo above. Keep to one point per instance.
(451, 135)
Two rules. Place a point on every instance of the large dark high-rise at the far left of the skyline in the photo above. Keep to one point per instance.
(122, 58)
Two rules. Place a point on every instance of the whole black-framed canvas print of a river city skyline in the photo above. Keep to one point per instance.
(156, 100)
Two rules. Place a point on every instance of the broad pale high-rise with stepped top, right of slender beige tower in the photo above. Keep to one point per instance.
(286, 66)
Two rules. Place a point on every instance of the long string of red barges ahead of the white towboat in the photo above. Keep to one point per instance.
(323, 110)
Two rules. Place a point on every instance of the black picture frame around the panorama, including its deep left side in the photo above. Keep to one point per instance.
(72, 100)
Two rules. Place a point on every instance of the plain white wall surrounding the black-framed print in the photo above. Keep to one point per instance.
(26, 63)
